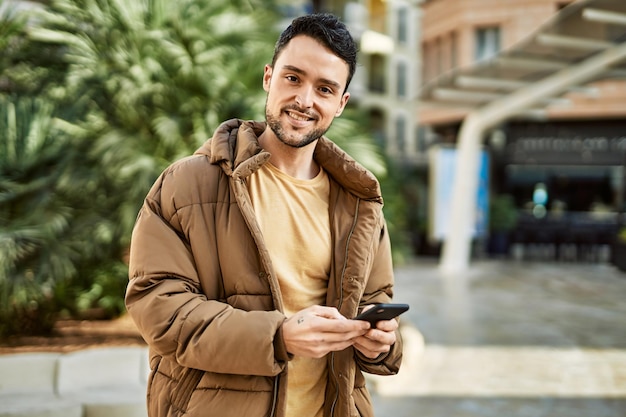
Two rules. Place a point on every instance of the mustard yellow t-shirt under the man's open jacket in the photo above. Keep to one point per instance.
(293, 216)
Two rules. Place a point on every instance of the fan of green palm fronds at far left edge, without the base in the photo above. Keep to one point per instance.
(31, 161)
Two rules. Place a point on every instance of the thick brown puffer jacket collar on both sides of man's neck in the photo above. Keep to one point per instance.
(235, 147)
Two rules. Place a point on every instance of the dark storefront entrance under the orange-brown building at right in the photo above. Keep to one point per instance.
(567, 180)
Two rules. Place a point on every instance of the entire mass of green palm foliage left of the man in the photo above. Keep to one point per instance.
(124, 89)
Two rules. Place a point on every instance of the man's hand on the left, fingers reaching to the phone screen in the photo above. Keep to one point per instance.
(317, 330)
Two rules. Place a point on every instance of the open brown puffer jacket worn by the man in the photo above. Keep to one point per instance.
(204, 296)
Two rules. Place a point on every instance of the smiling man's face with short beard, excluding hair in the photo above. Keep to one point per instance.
(305, 91)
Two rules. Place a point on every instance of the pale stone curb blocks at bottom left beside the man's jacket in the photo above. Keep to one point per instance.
(94, 382)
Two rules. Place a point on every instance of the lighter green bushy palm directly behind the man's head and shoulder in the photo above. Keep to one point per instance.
(149, 80)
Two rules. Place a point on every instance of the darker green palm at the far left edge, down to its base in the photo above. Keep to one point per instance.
(34, 216)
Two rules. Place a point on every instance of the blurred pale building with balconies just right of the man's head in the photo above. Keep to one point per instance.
(390, 74)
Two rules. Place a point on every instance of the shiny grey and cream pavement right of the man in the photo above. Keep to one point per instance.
(509, 339)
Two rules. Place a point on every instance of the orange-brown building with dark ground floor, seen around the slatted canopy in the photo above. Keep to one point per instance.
(563, 166)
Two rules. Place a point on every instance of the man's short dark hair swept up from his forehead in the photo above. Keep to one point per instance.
(328, 30)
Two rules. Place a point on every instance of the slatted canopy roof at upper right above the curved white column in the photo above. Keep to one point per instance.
(579, 31)
